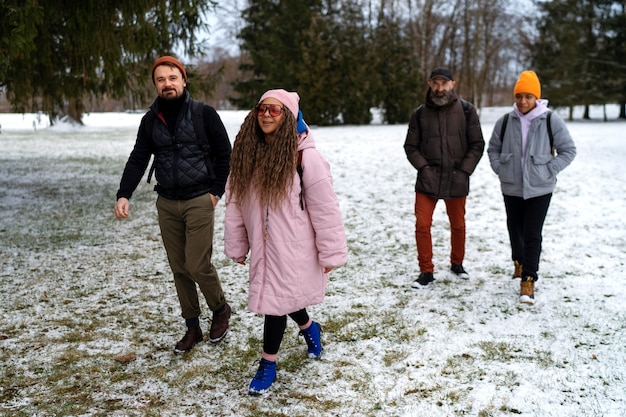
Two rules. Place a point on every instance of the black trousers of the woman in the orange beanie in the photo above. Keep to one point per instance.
(524, 219)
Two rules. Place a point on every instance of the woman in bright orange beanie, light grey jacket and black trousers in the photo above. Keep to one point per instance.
(521, 154)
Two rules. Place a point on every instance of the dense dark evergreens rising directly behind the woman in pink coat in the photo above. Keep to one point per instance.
(318, 48)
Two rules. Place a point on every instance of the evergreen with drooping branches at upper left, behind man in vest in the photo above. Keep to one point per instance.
(54, 54)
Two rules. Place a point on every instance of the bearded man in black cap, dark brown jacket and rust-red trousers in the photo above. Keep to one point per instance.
(444, 143)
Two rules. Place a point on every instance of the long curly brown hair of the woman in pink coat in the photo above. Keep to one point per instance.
(266, 168)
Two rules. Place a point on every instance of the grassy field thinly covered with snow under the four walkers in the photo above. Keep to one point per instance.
(79, 288)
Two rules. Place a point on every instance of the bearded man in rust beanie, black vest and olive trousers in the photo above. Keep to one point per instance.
(191, 176)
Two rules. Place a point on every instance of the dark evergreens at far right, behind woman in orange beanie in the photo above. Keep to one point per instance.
(581, 51)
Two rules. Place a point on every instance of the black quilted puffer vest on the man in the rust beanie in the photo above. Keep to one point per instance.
(180, 166)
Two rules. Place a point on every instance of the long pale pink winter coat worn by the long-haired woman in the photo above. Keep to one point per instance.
(289, 247)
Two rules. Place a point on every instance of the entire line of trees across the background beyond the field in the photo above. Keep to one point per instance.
(344, 57)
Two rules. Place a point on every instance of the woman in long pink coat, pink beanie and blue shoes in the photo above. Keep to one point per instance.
(282, 210)
